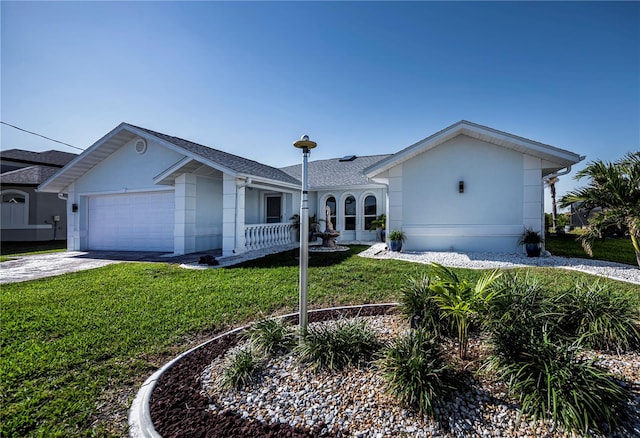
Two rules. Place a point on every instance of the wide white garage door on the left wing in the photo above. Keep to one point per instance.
(131, 222)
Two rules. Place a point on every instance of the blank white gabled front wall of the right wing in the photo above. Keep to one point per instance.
(499, 194)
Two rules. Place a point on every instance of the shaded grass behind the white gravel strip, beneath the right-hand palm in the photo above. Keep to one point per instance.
(614, 250)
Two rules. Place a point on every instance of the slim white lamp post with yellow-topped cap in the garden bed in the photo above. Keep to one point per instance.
(306, 145)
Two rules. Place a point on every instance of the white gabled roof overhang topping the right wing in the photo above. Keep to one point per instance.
(556, 157)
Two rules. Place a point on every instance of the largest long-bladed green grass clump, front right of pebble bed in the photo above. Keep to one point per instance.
(536, 338)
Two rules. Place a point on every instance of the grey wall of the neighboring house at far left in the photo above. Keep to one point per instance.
(40, 226)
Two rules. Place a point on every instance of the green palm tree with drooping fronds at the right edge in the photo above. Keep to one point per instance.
(615, 187)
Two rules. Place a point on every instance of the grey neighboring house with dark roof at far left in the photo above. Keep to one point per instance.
(28, 215)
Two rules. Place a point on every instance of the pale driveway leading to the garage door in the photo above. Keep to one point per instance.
(31, 267)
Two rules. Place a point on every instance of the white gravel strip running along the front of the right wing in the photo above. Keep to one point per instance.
(486, 260)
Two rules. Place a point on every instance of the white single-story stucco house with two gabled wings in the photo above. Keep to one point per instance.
(467, 187)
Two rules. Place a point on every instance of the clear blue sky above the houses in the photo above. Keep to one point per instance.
(359, 77)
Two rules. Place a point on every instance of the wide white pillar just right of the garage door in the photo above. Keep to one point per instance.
(185, 214)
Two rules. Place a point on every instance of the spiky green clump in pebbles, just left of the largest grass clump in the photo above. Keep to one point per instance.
(415, 371)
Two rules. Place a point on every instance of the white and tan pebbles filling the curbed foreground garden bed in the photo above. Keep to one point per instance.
(353, 402)
